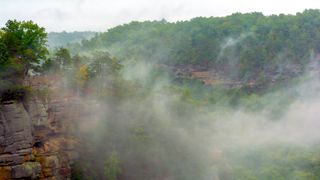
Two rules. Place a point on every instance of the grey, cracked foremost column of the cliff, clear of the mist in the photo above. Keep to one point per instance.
(16, 140)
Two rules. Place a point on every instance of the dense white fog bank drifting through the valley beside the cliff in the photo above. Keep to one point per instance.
(157, 133)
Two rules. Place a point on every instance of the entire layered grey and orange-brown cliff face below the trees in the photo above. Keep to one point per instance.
(35, 139)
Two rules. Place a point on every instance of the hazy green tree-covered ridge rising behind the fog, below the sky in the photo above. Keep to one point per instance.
(247, 46)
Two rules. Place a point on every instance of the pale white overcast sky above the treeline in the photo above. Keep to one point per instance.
(99, 15)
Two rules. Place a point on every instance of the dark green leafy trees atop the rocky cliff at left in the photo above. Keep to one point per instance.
(22, 48)
